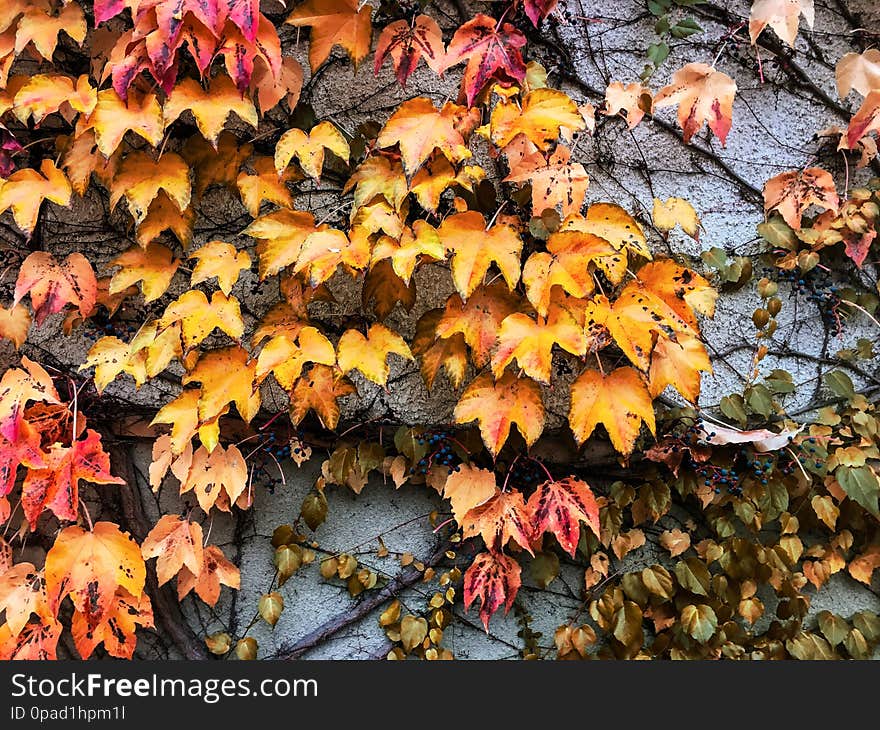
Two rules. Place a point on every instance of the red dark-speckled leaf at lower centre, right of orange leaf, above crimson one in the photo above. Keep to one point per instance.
(560, 506)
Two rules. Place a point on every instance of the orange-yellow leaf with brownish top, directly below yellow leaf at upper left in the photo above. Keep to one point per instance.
(140, 178)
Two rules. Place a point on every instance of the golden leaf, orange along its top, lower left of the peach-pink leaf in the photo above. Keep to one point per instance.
(475, 247)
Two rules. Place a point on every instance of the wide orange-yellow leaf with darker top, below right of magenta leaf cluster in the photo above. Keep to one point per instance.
(210, 107)
